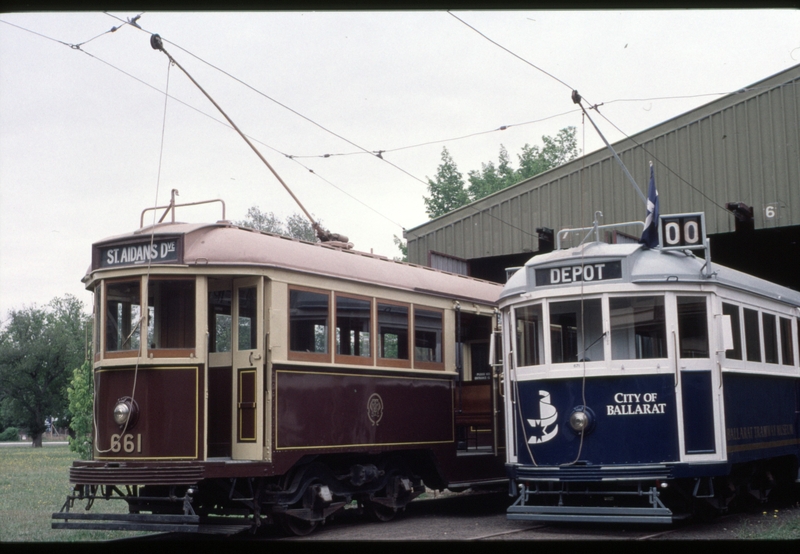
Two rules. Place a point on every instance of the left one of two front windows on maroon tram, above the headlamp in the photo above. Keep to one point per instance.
(123, 312)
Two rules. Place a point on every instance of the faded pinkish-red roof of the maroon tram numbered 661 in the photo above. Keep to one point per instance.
(225, 244)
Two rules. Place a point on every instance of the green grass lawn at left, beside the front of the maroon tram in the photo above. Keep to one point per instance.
(34, 482)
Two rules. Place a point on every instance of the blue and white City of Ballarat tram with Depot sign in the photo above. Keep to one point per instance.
(645, 384)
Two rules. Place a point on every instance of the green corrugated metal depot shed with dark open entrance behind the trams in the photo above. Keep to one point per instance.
(737, 159)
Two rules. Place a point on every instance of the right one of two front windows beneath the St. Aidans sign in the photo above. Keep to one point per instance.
(172, 306)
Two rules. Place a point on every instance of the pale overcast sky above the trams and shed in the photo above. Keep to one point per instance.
(81, 129)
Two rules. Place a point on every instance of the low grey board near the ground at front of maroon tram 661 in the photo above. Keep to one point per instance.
(156, 523)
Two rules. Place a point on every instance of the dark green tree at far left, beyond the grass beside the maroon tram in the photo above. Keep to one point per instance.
(39, 348)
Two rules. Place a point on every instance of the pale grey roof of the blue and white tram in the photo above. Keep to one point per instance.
(647, 266)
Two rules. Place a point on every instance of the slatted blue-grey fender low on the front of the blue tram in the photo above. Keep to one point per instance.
(534, 504)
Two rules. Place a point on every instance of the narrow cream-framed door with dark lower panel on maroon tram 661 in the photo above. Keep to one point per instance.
(248, 374)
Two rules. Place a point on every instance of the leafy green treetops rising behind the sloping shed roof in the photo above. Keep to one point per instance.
(448, 192)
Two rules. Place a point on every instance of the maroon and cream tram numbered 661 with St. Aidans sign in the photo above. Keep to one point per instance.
(244, 373)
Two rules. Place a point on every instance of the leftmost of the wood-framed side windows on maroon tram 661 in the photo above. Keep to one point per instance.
(308, 321)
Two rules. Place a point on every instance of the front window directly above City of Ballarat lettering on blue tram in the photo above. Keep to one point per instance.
(638, 328)
